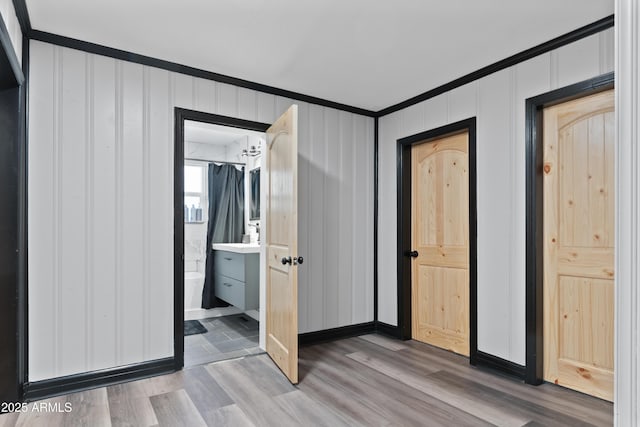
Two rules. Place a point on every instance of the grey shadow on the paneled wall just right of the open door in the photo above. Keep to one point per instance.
(325, 240)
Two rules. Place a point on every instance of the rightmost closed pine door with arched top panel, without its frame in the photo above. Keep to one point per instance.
(579, 244)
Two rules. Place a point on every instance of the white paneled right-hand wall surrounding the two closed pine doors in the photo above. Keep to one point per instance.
(498, 102)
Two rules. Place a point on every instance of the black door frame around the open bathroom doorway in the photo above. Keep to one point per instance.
(182, 114)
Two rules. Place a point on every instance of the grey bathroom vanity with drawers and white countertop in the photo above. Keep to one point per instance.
(237, 274)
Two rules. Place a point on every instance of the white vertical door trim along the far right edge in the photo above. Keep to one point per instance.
(627, 358)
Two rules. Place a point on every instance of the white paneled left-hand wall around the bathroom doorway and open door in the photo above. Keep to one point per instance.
(101, 208)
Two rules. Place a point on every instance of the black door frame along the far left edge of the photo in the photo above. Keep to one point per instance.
(13, 217)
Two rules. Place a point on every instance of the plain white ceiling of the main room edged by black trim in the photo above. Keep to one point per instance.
(363, 53)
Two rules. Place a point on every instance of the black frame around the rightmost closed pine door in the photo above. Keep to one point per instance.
(534, 354)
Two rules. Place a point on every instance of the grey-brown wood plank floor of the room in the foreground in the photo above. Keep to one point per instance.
(363, 381)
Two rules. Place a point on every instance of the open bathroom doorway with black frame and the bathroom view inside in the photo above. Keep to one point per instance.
(219, 262)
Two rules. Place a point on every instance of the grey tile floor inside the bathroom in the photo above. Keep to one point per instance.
(228, 337)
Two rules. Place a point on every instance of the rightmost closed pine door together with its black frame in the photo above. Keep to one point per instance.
(559, 284)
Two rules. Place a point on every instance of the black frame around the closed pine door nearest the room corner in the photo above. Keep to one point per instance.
(404, 226)
